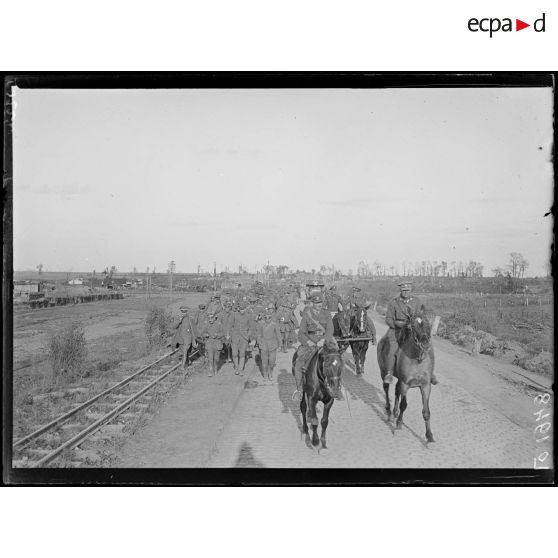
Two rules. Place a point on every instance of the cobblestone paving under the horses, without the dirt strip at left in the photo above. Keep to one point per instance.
(479, 419)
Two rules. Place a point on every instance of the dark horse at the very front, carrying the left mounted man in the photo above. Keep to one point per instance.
(322, 383)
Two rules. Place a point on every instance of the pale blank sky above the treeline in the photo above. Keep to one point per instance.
(297, 177)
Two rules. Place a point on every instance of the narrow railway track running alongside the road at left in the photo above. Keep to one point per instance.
(49, 442)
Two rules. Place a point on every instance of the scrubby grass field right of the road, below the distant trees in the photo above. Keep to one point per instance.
(518, 328)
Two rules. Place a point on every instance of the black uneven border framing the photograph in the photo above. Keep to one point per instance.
(246, 477)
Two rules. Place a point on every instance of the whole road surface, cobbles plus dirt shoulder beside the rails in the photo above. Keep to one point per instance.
(482, 417)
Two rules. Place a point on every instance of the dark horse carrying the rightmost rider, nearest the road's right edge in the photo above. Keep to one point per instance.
(414, 365)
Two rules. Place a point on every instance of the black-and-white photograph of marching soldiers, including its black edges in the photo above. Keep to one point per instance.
(280, 274)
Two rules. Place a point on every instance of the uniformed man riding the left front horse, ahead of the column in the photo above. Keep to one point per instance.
(316, 330)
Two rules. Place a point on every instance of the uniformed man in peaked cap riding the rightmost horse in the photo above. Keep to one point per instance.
(398, 316)
